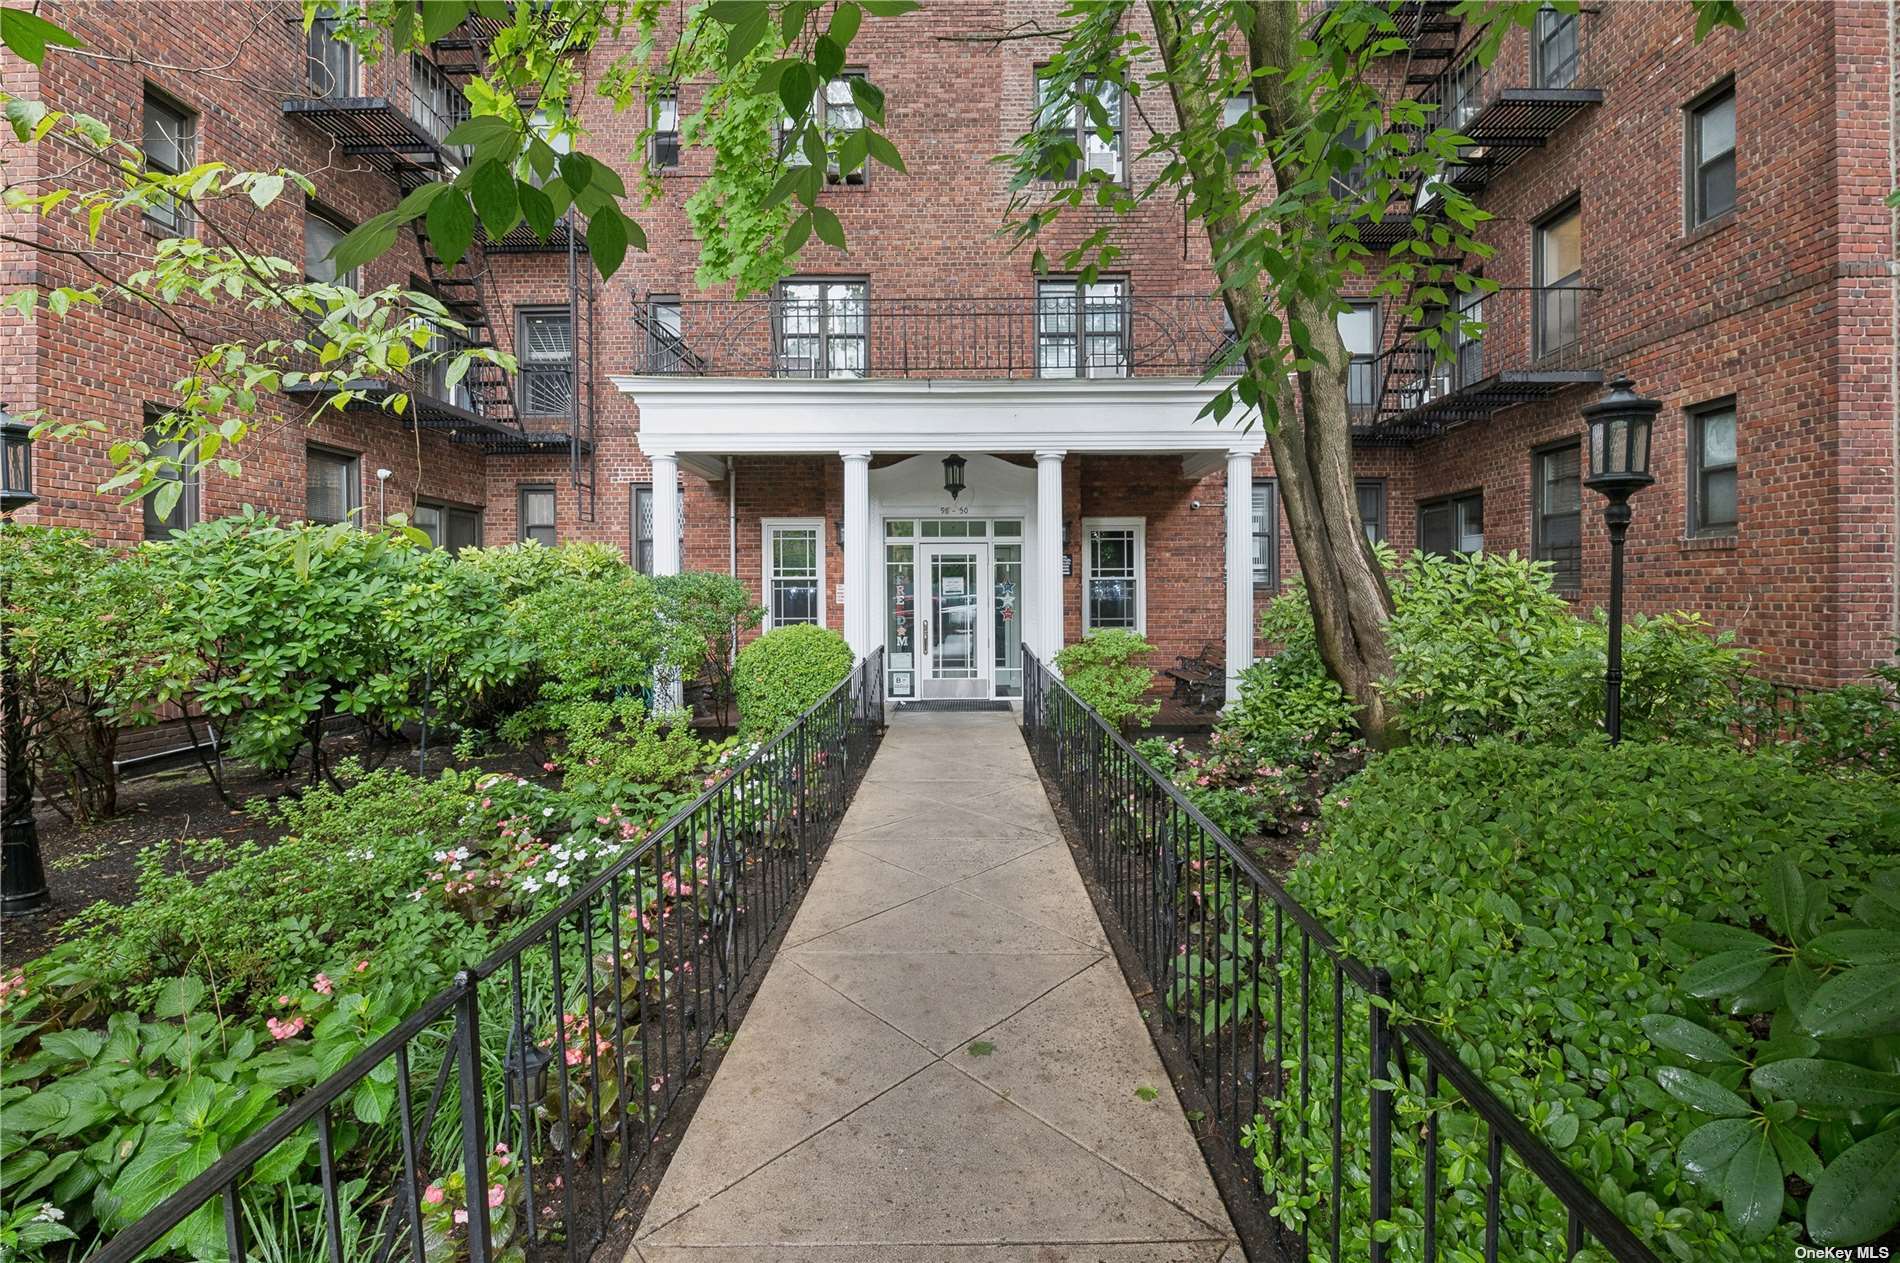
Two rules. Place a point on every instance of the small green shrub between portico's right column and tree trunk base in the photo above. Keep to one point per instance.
(1291, 709)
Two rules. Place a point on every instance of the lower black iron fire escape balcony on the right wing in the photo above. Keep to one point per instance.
(1536, 343)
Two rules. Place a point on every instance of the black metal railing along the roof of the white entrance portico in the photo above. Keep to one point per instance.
(936, 337)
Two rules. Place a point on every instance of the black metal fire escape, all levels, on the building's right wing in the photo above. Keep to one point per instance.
(1411, 390)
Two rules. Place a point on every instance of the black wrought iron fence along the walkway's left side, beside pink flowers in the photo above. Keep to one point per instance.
(506, 1118)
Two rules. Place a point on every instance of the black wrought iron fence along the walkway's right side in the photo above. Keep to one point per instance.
(1373, 1139)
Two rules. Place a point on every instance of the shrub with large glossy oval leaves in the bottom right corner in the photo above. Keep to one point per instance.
(1795, 1070)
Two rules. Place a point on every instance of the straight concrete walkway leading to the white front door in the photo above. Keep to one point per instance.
(943, 1063)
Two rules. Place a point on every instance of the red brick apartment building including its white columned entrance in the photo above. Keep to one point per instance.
(1703, 217)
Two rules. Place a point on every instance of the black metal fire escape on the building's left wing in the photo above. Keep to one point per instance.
(396, 119)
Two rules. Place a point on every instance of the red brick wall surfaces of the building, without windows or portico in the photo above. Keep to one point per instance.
(1787, 305)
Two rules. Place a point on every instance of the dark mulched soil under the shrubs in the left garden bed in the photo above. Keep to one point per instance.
(98, 863)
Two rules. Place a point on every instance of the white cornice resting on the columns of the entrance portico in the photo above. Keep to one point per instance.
(801, 415)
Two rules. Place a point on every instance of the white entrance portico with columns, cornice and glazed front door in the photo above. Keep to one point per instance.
(953, 586)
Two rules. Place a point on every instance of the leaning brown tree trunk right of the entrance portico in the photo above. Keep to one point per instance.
(1314, 442)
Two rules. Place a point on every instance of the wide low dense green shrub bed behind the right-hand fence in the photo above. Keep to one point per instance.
(1521, 897)
